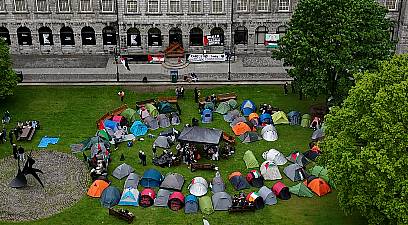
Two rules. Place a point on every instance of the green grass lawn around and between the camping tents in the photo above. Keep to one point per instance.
(70, 113)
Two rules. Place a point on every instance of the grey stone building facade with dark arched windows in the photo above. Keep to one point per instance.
(148, 26)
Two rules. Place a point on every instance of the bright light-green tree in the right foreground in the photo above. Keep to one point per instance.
(365, 148)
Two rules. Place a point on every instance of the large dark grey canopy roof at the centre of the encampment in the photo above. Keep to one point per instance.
(200, 135)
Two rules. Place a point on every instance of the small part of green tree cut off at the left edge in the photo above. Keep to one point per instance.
(8, 77)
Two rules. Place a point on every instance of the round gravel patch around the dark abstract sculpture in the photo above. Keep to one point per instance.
(65, 181)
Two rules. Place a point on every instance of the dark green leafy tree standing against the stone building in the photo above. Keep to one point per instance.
(329, 40)
